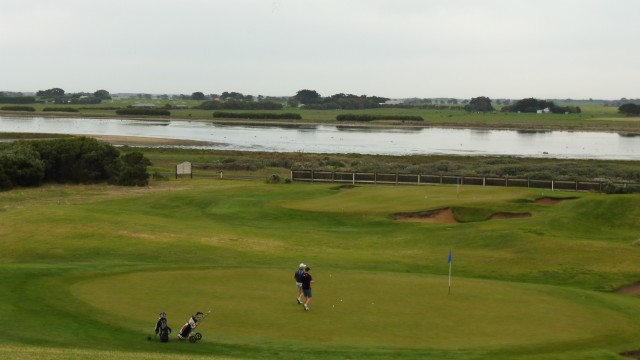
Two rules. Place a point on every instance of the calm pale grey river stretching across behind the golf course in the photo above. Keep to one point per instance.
(339, 139)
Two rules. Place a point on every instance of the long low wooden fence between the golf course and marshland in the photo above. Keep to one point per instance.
(417, 179)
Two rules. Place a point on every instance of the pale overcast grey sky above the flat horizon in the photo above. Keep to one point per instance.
(547, 49)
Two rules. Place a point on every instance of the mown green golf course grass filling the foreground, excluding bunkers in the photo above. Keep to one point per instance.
(85, 270)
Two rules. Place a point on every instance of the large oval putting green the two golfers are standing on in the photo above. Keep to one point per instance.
(357, 309)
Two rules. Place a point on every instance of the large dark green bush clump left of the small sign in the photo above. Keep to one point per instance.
(69, 160)
